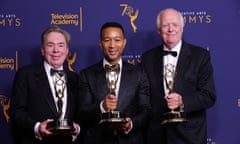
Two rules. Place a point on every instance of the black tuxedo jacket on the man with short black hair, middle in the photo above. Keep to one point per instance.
(133, 100)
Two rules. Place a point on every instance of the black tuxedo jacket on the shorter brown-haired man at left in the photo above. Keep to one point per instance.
(32, 101)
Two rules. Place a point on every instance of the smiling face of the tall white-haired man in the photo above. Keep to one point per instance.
(170, 27)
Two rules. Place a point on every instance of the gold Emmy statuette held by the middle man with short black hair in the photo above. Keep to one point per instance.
(112, 116)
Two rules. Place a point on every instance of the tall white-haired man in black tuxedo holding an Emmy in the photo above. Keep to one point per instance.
(193, 84)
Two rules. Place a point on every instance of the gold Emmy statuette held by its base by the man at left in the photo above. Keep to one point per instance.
(61, 125)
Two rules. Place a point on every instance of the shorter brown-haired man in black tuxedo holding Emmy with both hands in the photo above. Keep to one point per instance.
(34, 100)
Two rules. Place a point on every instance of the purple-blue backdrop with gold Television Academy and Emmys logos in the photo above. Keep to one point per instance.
(210, 24)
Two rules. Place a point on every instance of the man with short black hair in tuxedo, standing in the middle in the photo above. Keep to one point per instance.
(131, 96)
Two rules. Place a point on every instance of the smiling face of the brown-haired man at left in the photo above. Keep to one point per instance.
(55, 49)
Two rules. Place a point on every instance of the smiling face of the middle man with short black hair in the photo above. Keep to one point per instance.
(113, 43)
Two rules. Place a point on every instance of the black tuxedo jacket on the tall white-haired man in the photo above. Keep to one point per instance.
(194, 81)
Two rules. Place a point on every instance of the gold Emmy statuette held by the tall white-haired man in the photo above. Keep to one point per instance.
(174, 115)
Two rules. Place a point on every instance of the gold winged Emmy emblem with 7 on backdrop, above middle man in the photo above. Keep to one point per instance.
(133, 15)
